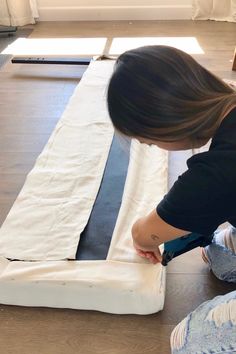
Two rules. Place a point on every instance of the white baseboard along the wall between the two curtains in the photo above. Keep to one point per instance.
(110, 13)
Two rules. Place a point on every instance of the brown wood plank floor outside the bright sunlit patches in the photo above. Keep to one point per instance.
(32, 98)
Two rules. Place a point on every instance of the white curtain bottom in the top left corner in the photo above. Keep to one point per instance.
(18, 12)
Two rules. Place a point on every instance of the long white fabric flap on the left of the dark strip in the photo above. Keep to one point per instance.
(55, 203)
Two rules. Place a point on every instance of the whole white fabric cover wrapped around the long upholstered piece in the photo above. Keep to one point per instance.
(43, 228)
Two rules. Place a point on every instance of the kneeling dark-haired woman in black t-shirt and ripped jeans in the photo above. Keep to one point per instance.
(161, 95)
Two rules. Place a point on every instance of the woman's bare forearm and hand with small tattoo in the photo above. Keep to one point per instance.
(150, 232)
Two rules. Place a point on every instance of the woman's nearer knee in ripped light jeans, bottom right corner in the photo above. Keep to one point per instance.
(209, 329)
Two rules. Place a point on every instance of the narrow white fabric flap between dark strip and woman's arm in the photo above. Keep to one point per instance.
(145, 186)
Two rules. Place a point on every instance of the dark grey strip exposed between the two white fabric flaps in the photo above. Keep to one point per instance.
(96, 237)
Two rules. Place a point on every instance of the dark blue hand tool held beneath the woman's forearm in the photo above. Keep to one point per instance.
(184, 244)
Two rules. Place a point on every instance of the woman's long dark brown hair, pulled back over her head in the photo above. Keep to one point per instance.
(162, 93)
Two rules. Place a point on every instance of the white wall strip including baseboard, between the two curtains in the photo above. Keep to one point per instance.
(84, 10)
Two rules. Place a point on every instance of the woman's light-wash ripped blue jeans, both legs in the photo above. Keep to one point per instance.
(211, 328)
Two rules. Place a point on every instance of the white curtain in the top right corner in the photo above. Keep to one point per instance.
(219, 10)
